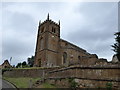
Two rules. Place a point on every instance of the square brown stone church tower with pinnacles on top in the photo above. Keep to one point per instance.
(46, 53)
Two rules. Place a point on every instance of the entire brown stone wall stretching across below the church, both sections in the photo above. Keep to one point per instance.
(86, 76)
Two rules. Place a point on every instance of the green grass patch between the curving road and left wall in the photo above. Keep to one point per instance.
(22, 82)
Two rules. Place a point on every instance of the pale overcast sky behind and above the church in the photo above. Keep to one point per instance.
(89, 25)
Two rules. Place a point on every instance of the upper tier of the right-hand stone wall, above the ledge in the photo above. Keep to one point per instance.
(105, 73)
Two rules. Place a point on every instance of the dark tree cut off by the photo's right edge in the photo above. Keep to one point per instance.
(116, 45)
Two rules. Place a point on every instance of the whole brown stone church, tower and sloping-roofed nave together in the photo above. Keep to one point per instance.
(52, 51)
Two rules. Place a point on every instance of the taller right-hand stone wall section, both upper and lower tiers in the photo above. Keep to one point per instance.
(87, 76)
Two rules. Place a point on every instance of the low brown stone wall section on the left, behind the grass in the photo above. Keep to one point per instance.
(27, 72)
